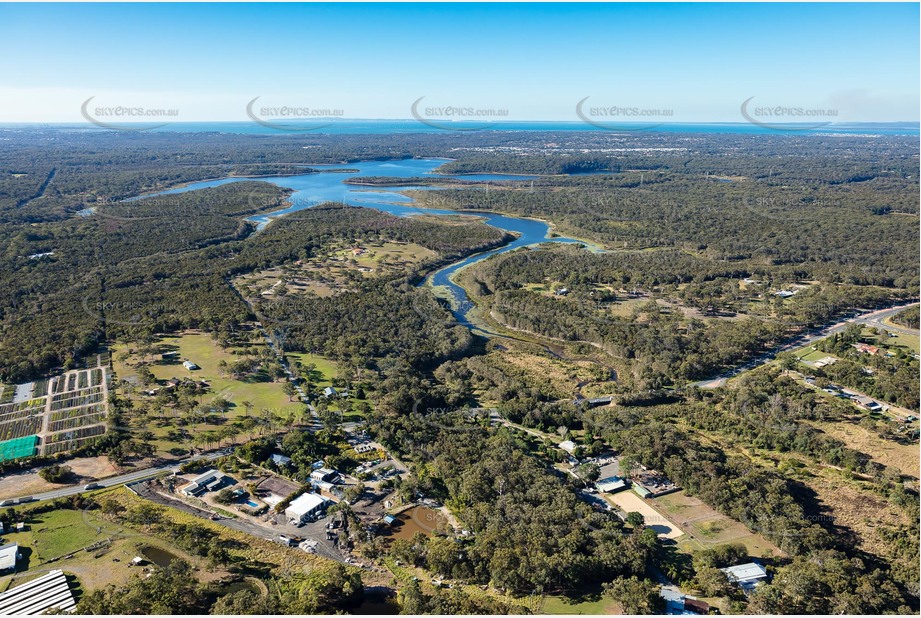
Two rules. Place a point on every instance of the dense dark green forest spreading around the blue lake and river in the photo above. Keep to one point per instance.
(697, 235)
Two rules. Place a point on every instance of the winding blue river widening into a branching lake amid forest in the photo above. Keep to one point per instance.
(312, 189)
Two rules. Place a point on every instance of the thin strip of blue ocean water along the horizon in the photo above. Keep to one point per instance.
(345, 127)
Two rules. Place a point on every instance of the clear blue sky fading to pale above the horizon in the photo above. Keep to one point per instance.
(700, 61)
